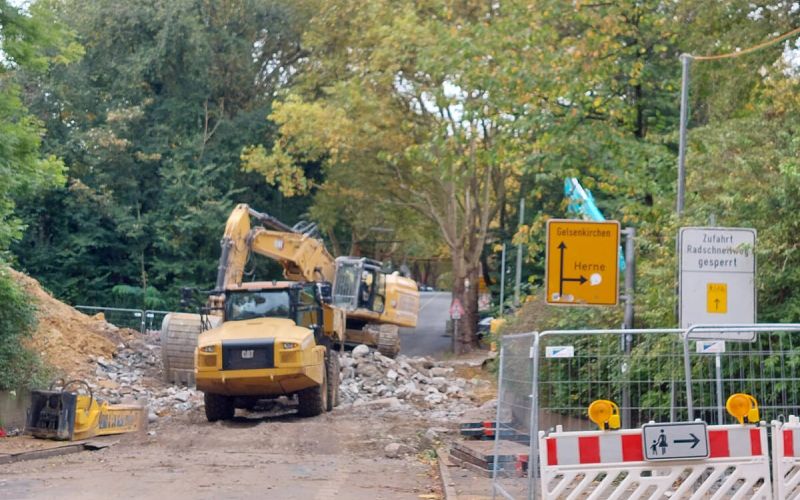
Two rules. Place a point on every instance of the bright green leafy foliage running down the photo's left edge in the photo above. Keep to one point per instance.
(31, 42)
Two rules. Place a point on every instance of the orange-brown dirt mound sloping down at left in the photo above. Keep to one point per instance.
(65, 337)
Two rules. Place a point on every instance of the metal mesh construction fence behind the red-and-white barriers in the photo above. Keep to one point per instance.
(548, 379)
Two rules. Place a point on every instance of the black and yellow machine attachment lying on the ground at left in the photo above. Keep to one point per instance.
(69, 416)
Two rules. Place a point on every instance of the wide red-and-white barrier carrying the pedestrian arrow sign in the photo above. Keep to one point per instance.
(611, 465)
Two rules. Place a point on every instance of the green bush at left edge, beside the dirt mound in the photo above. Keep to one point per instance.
(20, 368)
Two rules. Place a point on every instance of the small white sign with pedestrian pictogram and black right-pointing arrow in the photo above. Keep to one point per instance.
(675, 441)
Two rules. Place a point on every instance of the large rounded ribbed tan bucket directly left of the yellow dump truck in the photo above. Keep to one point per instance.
(179, 332)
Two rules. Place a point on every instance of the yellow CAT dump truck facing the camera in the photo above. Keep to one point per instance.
(275, 340)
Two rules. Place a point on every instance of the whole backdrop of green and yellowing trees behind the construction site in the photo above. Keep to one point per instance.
(405, 129)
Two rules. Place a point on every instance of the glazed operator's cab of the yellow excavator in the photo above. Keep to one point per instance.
(359, 283)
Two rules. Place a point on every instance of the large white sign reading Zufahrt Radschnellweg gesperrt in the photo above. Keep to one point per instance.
(717, 279)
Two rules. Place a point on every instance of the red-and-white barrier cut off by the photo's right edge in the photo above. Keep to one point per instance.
(786, 458)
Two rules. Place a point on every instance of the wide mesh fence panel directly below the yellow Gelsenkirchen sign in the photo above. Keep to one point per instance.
(640, 370)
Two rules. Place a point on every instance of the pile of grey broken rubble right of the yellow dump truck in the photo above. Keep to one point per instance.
(418, 384)
